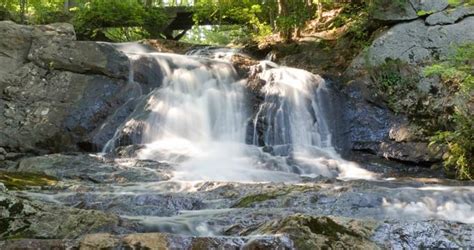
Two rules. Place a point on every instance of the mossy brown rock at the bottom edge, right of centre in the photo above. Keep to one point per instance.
(317, 232)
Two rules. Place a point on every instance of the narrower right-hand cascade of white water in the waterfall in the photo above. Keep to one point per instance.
(293, 115)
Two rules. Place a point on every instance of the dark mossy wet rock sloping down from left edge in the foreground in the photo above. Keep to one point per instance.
(22, 218)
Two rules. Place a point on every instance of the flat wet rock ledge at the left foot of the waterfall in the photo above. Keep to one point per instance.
(95, 169)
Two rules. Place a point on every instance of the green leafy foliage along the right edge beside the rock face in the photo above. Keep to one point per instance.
(458, 72)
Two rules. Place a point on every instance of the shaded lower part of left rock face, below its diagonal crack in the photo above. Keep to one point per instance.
(56, 110)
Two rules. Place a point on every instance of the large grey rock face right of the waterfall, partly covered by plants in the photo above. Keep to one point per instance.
(374, 127)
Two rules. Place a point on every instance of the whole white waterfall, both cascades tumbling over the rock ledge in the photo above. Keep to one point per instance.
(198, 118)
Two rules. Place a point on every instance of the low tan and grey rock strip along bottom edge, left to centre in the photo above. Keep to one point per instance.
(153, 241)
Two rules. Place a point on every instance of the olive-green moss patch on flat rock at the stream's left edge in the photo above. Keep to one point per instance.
(21, 181)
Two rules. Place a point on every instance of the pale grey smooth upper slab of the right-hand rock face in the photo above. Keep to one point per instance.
(414, 43)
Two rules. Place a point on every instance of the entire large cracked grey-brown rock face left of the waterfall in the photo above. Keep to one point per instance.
(55, 92)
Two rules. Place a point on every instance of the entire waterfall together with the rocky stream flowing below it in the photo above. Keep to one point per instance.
(198, 163)
